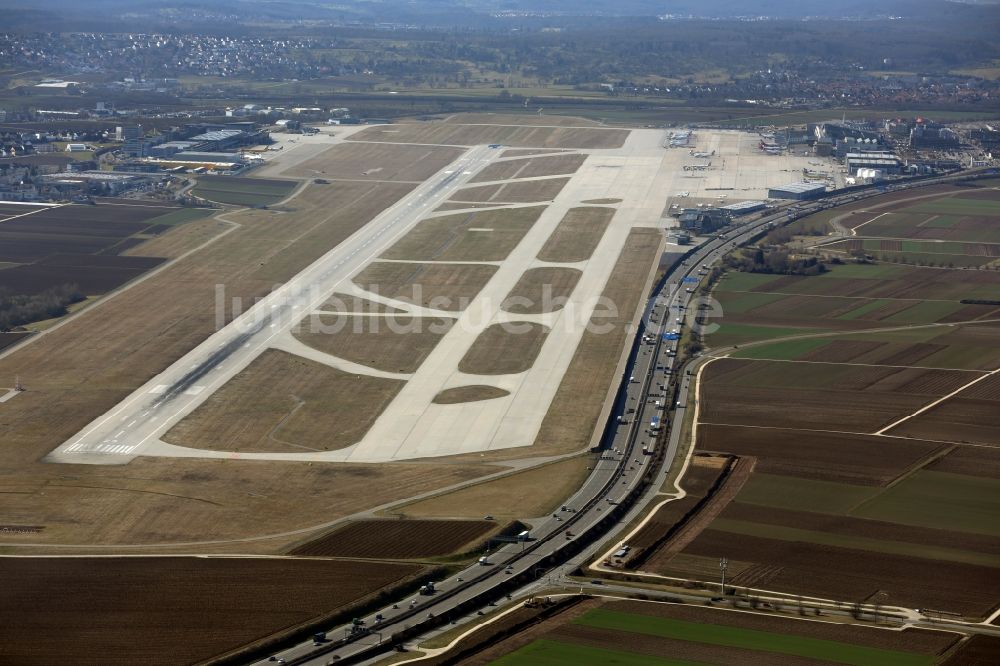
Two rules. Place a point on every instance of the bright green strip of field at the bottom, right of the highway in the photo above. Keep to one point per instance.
(750, 639)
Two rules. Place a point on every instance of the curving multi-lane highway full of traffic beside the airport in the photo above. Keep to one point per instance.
(652, 376)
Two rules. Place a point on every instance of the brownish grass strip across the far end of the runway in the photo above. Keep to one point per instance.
(509, 135)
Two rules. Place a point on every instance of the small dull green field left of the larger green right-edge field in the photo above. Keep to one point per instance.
(797, 494)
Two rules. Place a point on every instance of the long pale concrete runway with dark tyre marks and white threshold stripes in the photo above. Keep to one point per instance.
(138, 422)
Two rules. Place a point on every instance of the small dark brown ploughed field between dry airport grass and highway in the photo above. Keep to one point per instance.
(399, 539)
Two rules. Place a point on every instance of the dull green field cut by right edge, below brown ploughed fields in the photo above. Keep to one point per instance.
(939, 500)
